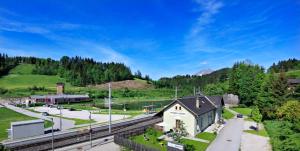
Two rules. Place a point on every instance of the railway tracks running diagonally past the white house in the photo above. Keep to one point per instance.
(62, 139)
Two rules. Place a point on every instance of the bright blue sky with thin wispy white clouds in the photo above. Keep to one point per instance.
(158, 37)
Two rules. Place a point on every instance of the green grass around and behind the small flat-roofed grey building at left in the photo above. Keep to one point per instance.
(7, 116)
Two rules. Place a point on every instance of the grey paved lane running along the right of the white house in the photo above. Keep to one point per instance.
(229, 137)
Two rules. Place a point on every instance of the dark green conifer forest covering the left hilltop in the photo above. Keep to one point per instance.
(76, 70)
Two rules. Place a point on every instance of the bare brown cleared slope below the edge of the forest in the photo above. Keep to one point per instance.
(130, 84)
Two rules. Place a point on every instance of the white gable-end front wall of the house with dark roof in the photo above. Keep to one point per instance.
(171, 114)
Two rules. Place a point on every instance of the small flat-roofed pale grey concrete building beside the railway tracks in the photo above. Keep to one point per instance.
(25, 129)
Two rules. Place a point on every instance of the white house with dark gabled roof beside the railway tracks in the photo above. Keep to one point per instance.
(196, 112)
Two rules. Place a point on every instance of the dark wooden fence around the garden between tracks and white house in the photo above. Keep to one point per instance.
(122, 139)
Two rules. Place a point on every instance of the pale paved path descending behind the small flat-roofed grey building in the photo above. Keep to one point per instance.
(66, 124)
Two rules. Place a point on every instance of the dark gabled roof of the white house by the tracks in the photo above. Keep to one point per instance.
(189, 103)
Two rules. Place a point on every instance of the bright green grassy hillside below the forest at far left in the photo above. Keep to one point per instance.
(22, 77)
